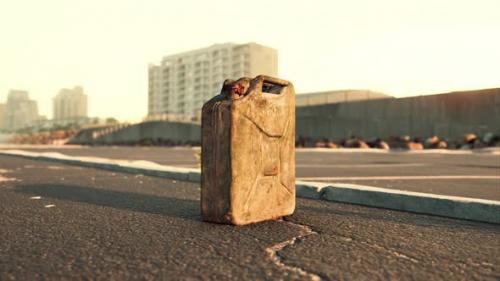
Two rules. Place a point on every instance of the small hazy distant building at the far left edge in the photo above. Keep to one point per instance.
(20, 111)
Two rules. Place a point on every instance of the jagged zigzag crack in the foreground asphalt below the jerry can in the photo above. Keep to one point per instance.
(273, 252)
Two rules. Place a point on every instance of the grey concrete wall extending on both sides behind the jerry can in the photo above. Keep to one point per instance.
(446, 115)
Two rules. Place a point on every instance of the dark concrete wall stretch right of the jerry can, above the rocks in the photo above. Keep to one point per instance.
(446, 115)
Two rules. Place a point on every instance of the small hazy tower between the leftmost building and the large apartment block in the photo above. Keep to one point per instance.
(70, 105)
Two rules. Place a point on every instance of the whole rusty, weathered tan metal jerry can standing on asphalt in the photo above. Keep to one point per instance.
(248, 152)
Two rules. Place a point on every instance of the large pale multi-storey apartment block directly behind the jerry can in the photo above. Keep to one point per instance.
(183, 82)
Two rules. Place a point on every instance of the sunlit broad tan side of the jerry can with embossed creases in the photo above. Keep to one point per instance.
(262, 158)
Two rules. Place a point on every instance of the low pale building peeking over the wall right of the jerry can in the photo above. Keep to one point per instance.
(337, 96)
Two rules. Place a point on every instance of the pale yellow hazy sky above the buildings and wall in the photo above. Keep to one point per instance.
(400, 47)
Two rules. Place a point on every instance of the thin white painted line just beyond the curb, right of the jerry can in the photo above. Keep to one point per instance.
(451, 177)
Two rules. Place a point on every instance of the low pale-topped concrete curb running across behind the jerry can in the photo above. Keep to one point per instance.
(424, 203)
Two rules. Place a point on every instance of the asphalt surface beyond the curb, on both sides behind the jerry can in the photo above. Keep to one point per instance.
(474, 175)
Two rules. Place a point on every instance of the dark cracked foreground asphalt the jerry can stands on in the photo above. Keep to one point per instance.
(115, 226)
